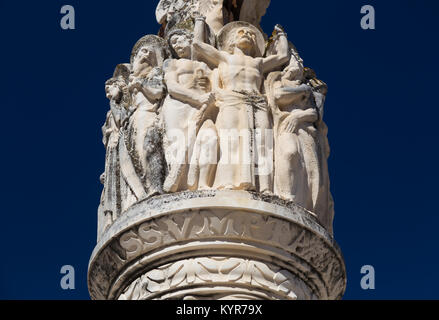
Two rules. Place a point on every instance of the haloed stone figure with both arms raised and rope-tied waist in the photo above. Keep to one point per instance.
(242, 107)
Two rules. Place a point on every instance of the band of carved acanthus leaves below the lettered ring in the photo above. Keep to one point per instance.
(233, 271)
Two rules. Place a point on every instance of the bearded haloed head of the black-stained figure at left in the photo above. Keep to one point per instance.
(149, 52)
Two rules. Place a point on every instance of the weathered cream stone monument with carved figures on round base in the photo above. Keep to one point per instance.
(216, 182)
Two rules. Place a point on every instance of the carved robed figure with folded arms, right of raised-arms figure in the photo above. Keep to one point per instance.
(300, 149)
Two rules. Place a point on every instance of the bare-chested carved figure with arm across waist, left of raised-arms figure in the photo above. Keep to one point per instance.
(188, 101)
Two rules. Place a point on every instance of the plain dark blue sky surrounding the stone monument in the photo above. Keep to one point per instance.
(381, 112)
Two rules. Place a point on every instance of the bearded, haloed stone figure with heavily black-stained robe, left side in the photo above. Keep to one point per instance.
(142, 140)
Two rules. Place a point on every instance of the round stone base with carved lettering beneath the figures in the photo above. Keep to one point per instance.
(216, 245)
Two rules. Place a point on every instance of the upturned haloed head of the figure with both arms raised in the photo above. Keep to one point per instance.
(241, 35)
